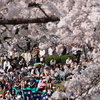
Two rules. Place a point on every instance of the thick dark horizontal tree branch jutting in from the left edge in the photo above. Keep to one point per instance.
(26, 21)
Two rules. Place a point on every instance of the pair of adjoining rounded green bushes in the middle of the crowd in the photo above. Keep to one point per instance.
(59, 59)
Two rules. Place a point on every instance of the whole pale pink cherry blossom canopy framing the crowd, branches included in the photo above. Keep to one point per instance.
(58, 21)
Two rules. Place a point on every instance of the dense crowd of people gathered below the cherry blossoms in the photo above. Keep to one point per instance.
(29, 70)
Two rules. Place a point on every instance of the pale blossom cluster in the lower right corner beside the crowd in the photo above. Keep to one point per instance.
(86, 84)
